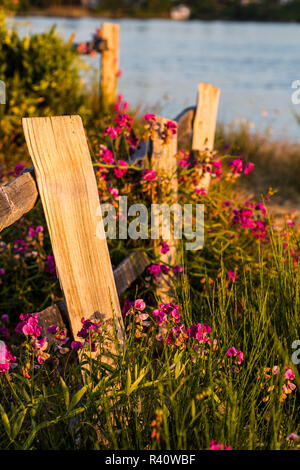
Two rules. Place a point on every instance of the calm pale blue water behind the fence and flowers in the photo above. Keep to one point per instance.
(254, 65)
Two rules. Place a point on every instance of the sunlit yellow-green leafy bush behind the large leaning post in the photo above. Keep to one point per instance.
(42, 77)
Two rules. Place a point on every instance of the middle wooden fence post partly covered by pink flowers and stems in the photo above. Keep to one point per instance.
(164, 162)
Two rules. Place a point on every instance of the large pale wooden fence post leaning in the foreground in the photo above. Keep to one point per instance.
(68, 190)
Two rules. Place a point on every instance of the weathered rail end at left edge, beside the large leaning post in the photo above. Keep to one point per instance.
(17, 198)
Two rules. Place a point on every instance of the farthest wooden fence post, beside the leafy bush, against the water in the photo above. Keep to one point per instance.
(109, 65)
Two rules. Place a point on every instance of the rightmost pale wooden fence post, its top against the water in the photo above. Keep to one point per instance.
(205, 120)
